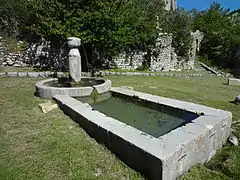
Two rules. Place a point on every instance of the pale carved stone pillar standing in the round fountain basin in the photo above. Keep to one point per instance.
(74, 58)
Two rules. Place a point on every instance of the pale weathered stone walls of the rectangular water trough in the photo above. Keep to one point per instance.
(165, 157)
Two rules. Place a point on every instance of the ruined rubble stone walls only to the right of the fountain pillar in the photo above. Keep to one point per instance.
(163, 56)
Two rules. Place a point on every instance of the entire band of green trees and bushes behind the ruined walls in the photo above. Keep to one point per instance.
(110, 27)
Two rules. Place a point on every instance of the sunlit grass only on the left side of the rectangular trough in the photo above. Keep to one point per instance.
(34, 145)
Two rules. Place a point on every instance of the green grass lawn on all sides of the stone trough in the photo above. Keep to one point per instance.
(34, 145)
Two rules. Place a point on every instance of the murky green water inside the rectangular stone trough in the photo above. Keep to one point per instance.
(155, 121)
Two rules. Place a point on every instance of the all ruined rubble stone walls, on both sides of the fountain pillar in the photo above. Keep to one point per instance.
(163, 56)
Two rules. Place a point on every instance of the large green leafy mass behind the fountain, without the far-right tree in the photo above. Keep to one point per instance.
(105, 27)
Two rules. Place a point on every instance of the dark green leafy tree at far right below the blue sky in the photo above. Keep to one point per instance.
(221, 34)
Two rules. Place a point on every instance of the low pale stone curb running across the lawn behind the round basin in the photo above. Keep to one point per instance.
(103, 73)
